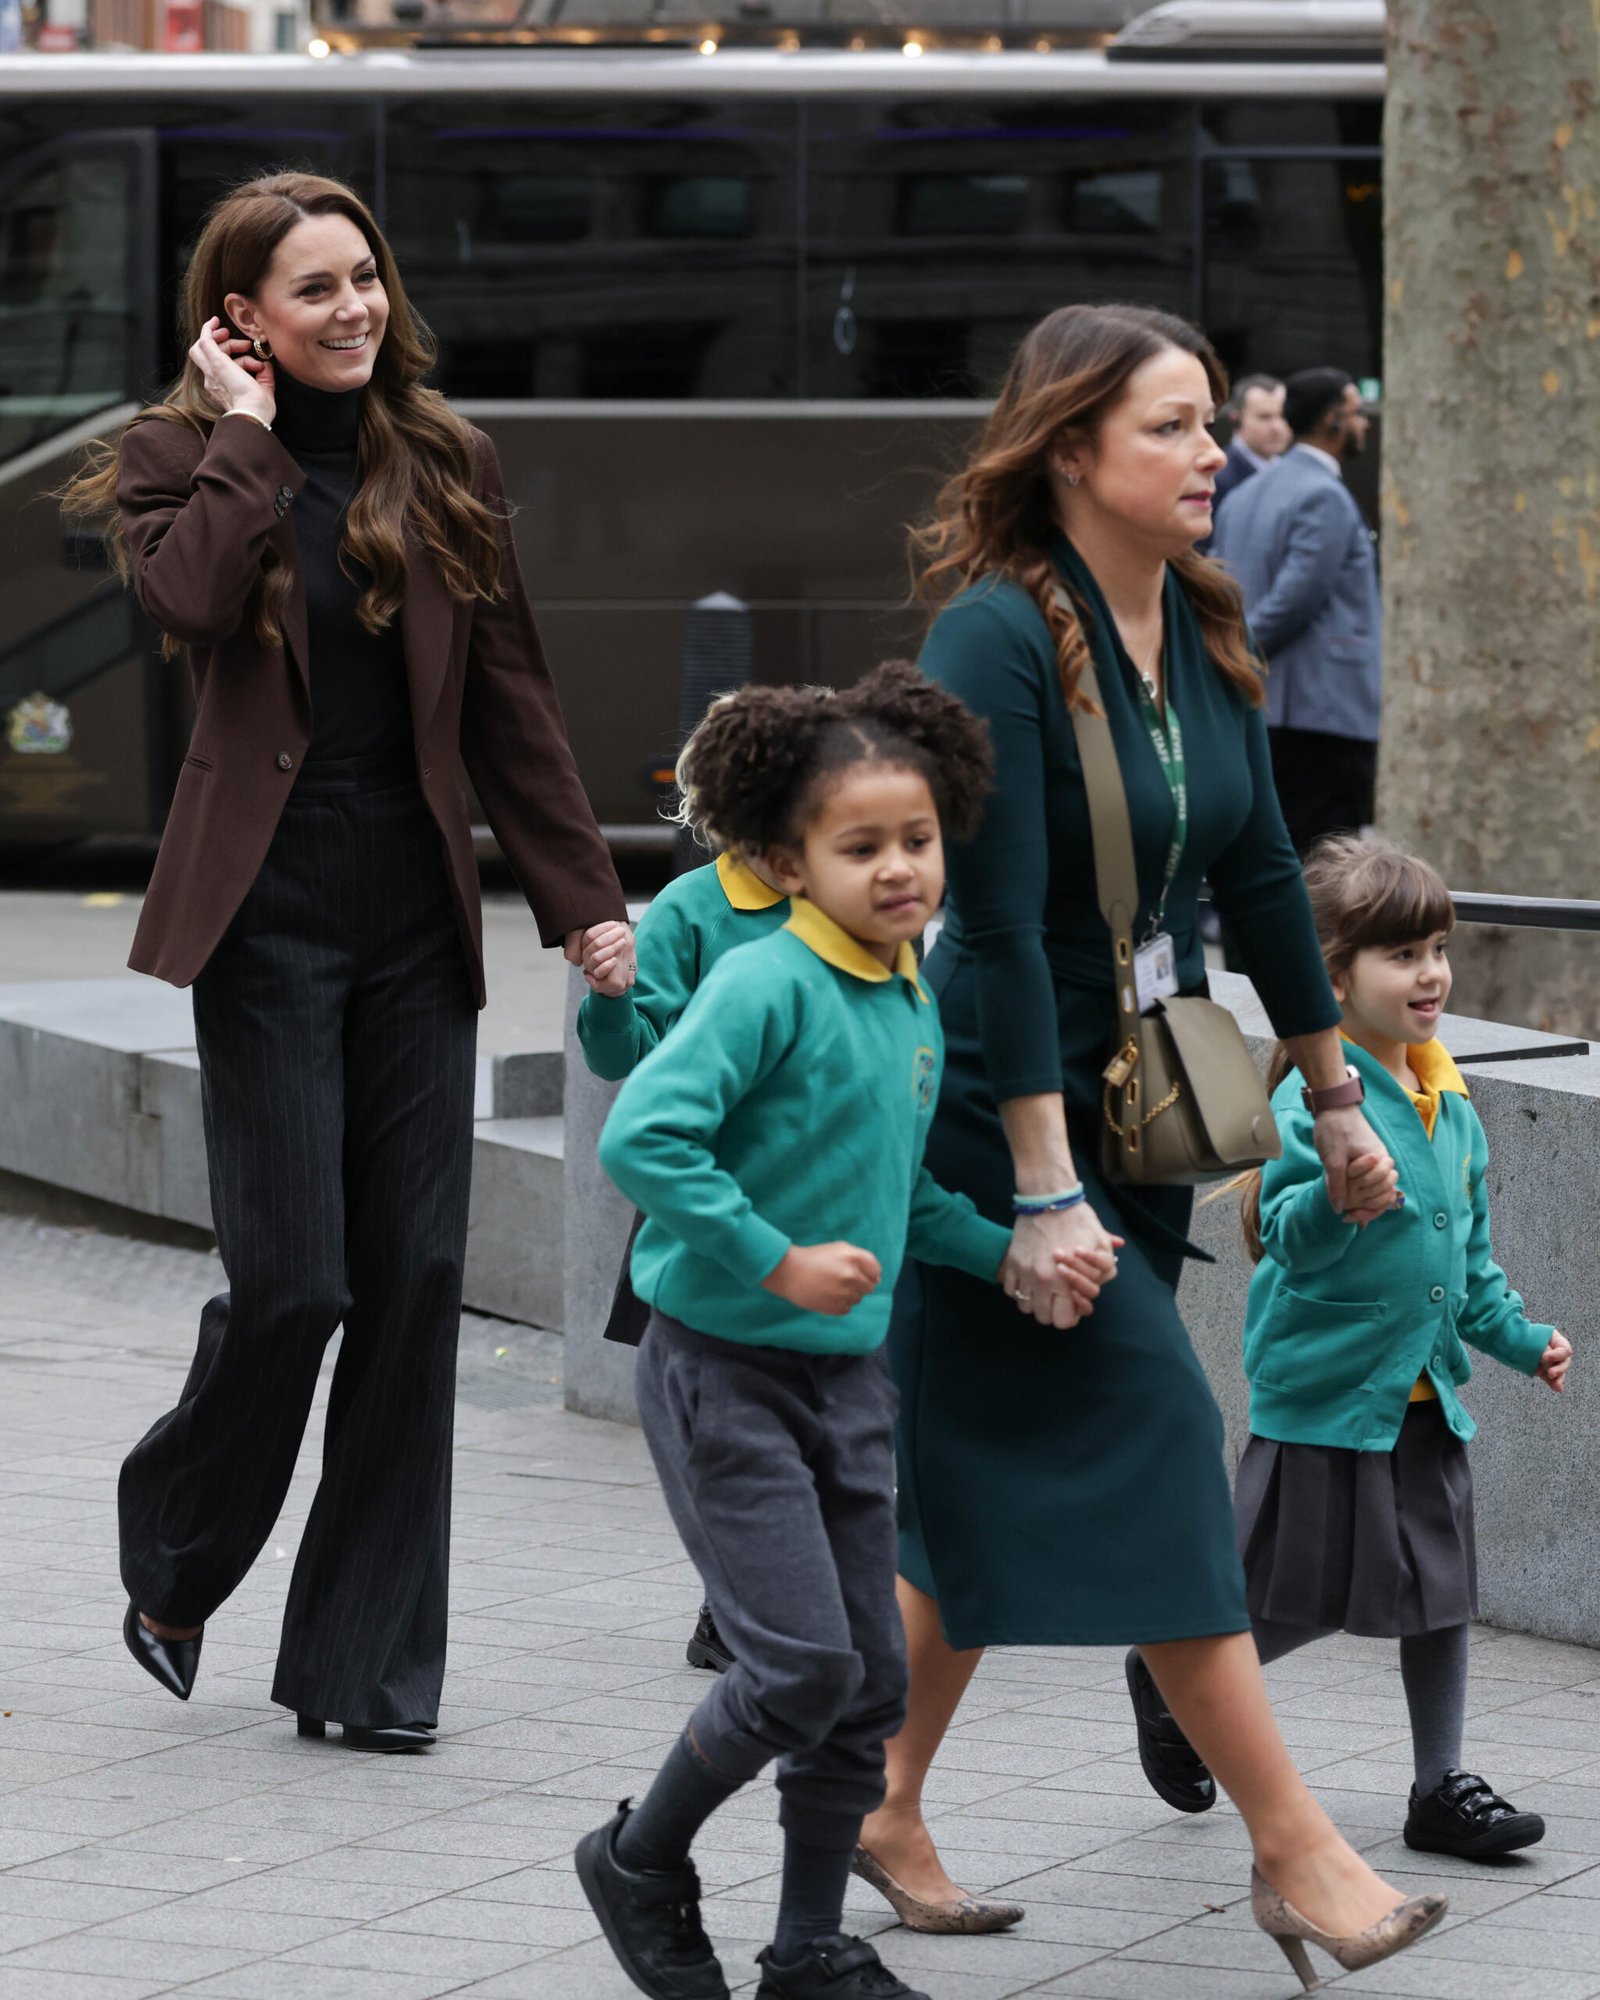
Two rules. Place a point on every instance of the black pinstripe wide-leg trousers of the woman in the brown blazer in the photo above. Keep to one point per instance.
(337, 1039)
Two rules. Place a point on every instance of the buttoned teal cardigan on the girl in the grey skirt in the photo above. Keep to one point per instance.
(1345, 1321)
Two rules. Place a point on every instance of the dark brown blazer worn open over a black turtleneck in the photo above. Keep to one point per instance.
(197, 517)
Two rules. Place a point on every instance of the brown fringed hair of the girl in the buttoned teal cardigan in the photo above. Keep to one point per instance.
(1367, 895)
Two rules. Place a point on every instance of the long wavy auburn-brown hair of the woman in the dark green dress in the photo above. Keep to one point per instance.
(997, 517)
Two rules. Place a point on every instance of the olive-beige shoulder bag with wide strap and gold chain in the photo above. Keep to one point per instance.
(1185, 1099)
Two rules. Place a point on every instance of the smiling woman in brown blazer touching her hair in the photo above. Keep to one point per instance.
(333, 545)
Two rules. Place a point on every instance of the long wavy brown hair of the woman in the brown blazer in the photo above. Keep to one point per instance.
(413, 459)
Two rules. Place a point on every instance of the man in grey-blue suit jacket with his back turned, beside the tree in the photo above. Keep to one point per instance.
(1303, 555)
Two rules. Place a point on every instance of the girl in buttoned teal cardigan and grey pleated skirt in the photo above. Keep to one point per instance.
(1355, 1495)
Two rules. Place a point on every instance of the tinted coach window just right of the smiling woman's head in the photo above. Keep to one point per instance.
(649, 249)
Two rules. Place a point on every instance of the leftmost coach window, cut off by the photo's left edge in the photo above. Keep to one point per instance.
(67, 291)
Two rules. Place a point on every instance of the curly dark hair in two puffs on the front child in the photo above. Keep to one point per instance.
(765, 759)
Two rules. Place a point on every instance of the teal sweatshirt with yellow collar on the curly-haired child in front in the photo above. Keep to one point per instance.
(791, 1105)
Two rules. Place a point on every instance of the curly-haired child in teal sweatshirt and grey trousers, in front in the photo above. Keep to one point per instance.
(775, 1147)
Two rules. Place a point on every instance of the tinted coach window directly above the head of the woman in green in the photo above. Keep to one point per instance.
(943, 231)
